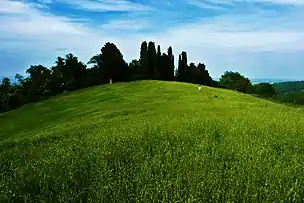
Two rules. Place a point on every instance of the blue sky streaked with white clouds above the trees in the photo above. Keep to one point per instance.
(258, 38)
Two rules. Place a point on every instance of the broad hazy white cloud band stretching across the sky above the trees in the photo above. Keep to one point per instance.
(223, 42)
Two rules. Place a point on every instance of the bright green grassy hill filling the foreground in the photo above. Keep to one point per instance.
(152, 141)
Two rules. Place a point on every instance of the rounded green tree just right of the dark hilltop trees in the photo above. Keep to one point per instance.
(236, 81)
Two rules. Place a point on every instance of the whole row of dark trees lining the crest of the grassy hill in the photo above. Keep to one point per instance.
(69, 74)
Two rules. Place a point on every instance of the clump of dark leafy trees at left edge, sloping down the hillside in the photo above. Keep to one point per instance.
(67, 74)
